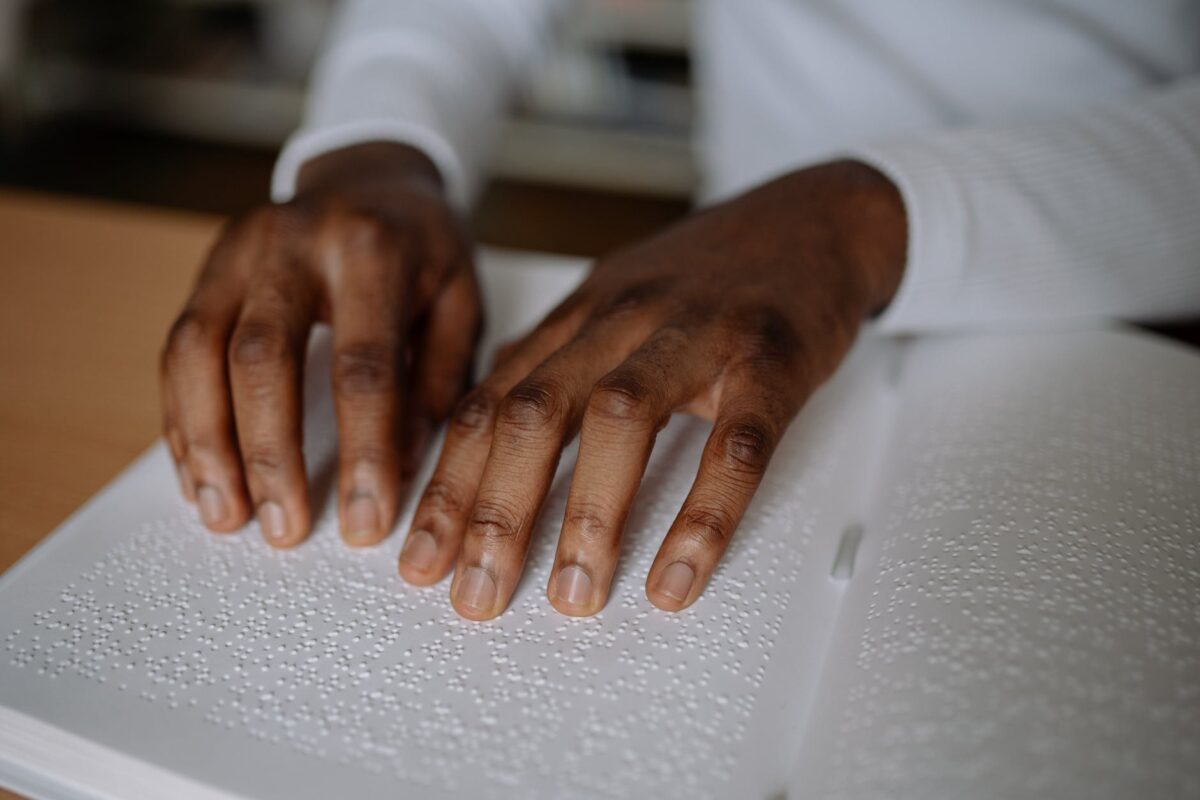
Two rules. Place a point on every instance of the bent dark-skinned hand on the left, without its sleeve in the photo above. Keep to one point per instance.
(371, 246)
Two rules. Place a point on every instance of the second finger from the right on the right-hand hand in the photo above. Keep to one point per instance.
(625, 414)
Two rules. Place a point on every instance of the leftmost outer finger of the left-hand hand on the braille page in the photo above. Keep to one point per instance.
(199, 418)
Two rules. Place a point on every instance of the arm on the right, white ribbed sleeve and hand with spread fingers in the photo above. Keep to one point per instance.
(740, 312)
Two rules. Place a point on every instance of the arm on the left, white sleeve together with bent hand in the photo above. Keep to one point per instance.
(363, 236)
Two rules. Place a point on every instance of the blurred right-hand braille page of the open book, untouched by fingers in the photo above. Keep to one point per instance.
(1028, 619)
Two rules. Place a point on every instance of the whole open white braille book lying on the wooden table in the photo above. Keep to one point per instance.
(973, 570)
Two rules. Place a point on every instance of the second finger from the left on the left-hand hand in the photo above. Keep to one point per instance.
(266, 364)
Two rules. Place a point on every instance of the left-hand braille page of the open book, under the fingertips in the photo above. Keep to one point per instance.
(143, 655)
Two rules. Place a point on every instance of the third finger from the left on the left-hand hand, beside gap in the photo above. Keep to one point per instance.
(371, 316)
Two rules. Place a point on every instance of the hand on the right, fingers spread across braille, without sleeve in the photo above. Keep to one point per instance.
(736, 315)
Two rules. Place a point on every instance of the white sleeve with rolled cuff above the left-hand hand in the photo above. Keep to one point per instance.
(430, 74)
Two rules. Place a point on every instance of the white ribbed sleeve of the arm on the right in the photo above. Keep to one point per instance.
(1095, 214)
